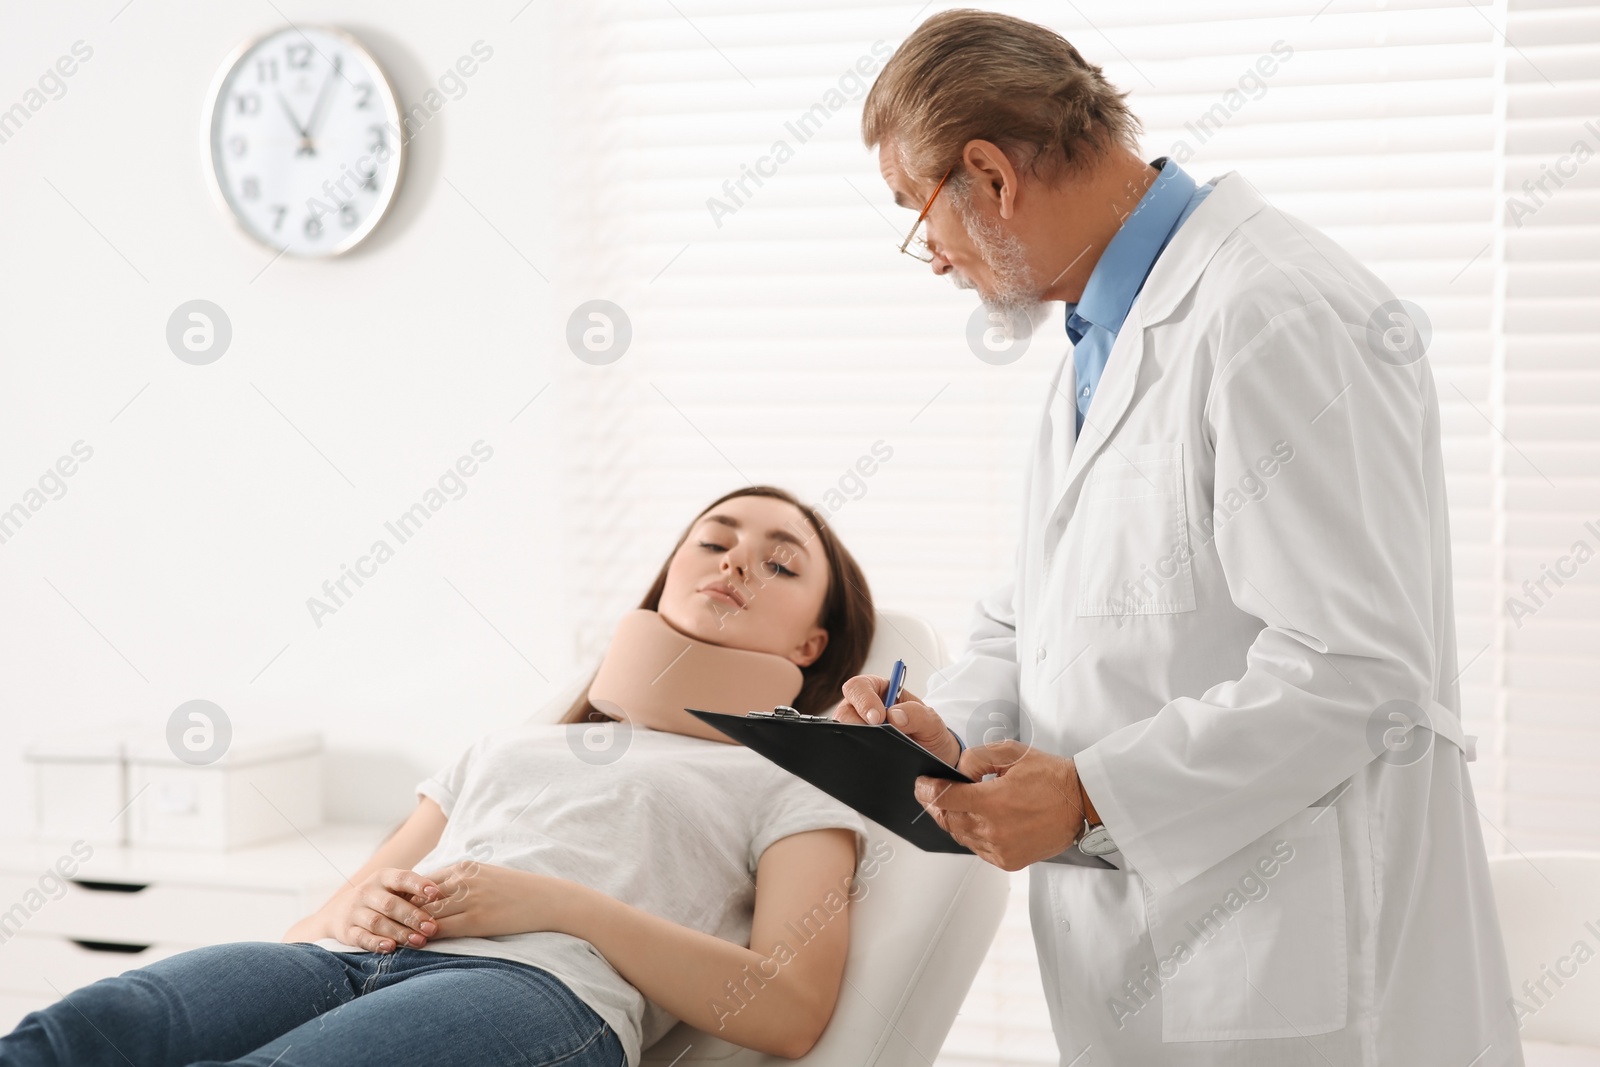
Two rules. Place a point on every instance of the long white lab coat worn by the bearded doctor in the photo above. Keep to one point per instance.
(1244, 562)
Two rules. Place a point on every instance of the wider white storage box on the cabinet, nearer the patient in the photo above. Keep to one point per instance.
(258, 791)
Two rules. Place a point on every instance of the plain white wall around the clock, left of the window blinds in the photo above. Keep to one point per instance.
(180, 559)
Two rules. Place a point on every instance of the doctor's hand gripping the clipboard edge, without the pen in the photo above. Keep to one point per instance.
(1030, 812)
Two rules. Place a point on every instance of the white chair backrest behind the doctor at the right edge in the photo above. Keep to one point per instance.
(1550, 913)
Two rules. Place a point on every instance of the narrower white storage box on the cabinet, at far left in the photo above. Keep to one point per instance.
(81, 788)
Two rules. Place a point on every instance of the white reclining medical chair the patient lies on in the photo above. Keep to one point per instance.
(919, 930)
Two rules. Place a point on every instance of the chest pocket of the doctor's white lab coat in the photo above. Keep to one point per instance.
(1135, 554)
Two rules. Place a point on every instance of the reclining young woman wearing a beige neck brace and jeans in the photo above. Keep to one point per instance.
(566, 892)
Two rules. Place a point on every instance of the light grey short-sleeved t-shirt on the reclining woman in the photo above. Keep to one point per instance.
(671, 825)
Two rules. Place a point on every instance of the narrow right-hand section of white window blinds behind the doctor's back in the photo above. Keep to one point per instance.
(1545, 393)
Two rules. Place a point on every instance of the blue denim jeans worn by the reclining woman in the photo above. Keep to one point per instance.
(298, 1005)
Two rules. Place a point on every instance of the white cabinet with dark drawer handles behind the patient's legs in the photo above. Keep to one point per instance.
(129, 906)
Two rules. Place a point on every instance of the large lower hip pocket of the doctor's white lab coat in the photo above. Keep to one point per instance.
(1255, 948)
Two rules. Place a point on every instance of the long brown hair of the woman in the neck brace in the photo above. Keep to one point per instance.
(847, 615)
